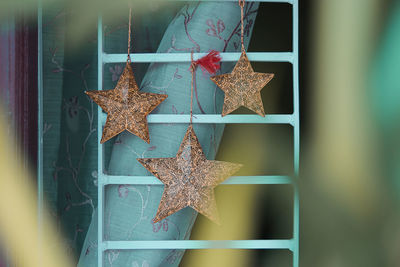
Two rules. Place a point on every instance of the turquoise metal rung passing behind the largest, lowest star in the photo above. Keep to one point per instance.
(151, 180)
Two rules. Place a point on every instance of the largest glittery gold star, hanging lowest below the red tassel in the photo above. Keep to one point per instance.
(189, 179)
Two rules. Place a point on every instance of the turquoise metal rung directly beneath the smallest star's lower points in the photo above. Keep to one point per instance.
(217, 118)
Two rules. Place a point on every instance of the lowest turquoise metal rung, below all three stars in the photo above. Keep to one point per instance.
(199, 244)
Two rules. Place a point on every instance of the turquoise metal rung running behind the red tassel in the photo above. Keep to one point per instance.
(185, 57)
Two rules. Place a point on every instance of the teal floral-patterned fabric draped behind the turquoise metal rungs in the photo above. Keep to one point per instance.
(70, 145)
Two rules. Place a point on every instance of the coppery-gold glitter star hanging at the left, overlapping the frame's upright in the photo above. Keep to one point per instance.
(126, 107)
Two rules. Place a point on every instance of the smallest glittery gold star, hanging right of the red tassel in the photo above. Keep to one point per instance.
(242, 87)
